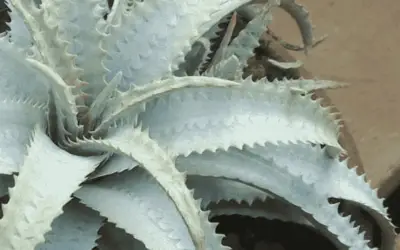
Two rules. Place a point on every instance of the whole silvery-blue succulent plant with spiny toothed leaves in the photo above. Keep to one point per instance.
(122, 129)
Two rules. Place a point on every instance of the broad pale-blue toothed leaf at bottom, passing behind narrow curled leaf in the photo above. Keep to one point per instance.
(137, 204)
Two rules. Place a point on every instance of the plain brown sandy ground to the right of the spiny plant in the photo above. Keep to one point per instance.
(362, 49)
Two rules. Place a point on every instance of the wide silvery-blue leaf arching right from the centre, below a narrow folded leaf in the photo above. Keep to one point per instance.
(247, 114)
